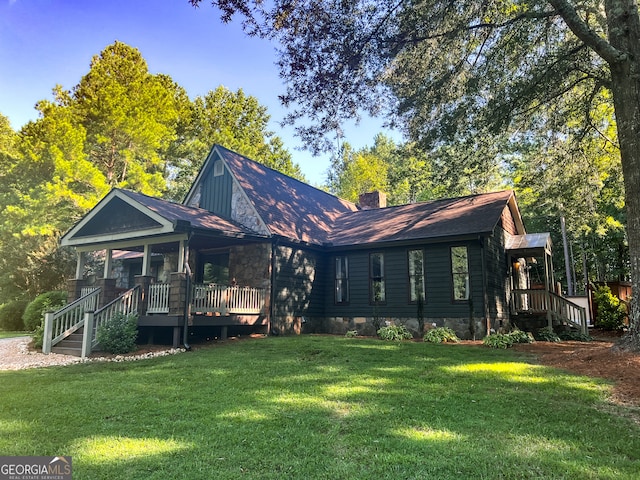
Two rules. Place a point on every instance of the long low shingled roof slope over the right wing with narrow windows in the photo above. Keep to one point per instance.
(452, 217)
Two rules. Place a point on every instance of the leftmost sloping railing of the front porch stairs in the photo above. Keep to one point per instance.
(59, 325)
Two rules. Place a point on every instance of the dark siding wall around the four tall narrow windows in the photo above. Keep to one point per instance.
(439, 297)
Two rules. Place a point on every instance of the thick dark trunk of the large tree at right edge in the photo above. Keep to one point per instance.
(624, 34)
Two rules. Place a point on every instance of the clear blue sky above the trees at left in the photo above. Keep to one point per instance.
(49, 42)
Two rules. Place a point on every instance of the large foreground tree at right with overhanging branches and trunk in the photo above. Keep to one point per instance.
(455, 67)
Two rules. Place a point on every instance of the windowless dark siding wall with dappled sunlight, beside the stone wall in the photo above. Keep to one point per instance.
(299, 283)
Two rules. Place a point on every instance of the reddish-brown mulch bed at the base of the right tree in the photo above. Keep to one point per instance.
(595, 359)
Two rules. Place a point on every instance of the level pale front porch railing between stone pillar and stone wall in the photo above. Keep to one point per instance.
(227, 299)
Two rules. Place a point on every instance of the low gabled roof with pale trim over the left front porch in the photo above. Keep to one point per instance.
(123, 214)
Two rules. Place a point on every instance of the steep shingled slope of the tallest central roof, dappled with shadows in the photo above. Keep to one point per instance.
(288, 207)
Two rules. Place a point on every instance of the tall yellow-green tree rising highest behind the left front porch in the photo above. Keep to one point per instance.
(130, 117)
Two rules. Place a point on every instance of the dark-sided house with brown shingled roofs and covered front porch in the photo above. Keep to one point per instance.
(252, 247)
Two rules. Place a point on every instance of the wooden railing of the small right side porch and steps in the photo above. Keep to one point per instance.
(545, 302)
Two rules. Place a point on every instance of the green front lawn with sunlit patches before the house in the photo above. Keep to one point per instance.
(316, 407)
